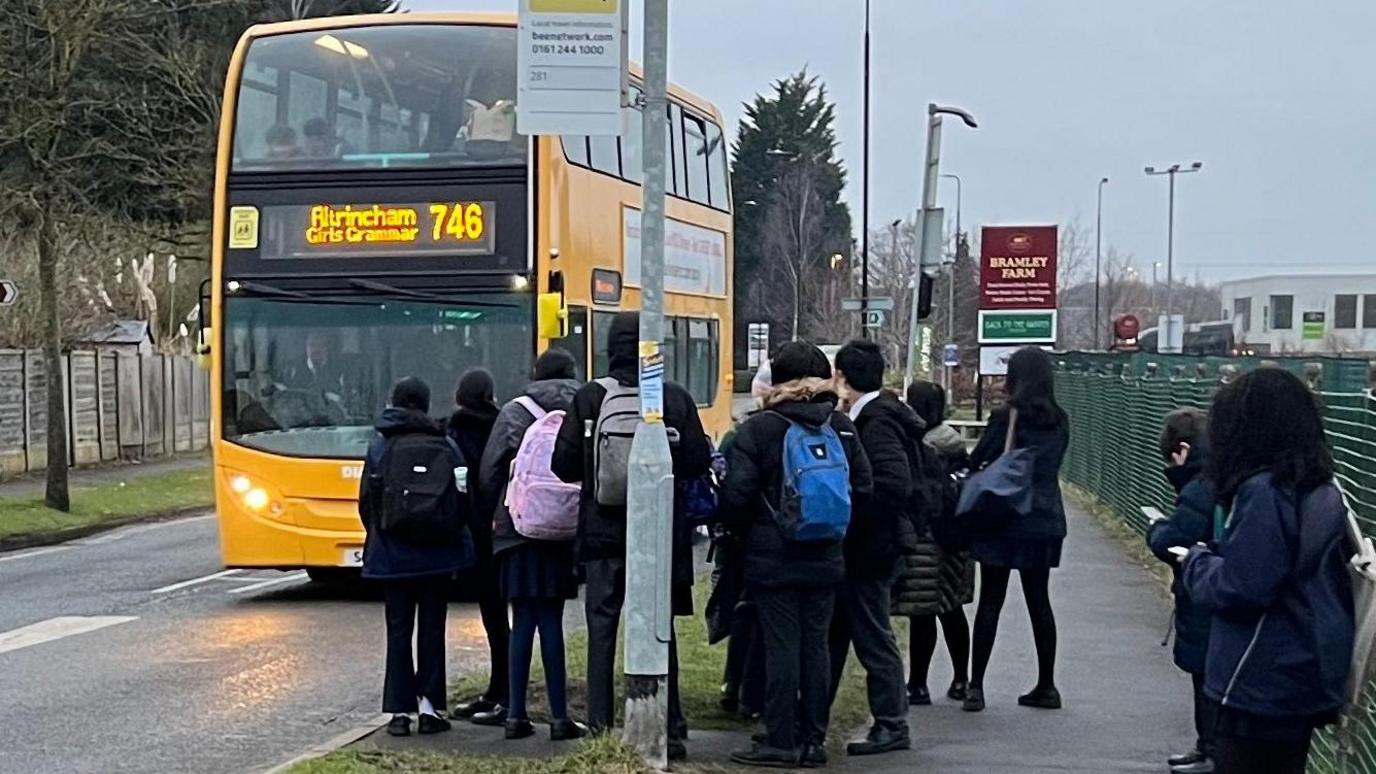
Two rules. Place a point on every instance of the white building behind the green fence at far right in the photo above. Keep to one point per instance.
(1304, 313)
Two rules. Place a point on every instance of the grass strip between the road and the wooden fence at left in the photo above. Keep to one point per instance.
(141, 496)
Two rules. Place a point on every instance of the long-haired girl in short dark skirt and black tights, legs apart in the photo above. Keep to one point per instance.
(1033, 545)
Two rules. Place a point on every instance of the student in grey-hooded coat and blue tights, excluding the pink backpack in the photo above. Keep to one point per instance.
(535, 576)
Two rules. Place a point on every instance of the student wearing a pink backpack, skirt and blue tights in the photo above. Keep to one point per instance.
(535, 525)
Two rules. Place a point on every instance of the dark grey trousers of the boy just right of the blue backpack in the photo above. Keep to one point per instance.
(862, 619)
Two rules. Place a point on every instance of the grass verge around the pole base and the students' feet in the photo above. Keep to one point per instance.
(700, 681)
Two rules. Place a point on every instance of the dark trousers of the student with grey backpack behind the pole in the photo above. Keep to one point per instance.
(603, 598)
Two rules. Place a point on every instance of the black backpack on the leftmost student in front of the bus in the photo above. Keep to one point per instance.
(419, 499)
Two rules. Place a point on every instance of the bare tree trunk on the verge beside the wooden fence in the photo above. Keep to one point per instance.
(56, 495)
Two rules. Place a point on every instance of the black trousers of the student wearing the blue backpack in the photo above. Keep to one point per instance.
(795, 626)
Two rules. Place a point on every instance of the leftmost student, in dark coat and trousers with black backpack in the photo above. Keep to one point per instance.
(413, 514)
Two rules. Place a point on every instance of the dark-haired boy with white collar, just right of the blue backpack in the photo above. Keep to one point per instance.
(890, 433)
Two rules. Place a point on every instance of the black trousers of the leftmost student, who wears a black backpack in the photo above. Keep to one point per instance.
(415, 607)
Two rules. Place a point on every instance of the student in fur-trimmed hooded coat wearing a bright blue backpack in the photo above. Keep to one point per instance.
(793, 474)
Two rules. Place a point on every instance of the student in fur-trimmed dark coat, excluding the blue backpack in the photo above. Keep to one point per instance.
(793, 585)
